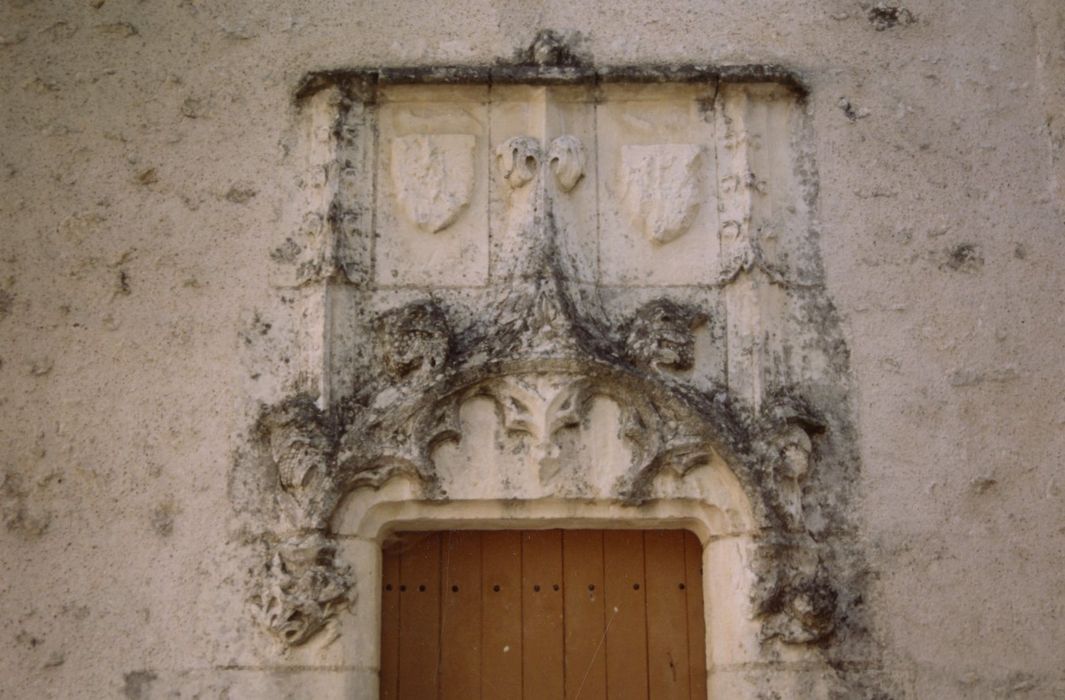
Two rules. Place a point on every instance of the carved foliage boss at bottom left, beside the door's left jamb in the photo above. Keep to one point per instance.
(304, 587)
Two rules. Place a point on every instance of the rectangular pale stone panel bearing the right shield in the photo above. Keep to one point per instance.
(660, 214)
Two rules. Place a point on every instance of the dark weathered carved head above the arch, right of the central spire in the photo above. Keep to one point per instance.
(663, 335)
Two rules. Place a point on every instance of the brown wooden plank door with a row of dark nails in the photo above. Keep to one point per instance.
(544, 615)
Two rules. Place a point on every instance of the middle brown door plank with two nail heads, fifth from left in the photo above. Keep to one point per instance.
(543, 660)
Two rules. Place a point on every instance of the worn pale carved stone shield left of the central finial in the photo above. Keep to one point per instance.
(433, 177)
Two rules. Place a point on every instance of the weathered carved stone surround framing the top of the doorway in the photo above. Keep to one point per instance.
(575, 292)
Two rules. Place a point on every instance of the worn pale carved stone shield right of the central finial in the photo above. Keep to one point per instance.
(661, 188)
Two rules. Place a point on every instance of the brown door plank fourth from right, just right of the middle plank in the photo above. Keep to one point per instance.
(585, 627)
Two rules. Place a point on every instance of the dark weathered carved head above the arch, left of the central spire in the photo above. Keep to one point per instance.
(413, 338)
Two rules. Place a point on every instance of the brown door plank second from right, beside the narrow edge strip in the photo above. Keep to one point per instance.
(668, 670)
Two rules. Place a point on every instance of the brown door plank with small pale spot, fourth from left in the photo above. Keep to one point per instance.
(502, 616)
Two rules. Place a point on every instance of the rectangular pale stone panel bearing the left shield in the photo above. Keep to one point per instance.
(432, 200)
